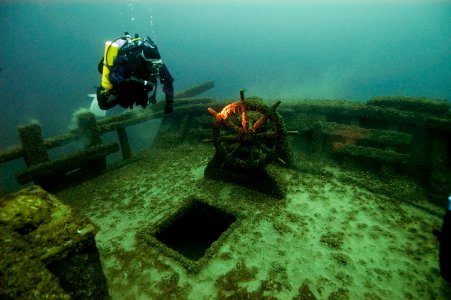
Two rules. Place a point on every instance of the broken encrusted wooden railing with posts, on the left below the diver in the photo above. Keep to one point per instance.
(92, 159)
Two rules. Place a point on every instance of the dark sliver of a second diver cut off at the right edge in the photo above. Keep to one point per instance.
(444, 238)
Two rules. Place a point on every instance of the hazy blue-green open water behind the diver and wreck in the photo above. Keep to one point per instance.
(296, 49)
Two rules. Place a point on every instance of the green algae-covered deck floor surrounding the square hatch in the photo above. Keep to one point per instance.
(338, 234)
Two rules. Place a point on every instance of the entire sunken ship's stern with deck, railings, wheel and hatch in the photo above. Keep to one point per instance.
(219, 167)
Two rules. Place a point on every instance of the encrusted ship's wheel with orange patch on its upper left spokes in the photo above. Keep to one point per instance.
(248, 134)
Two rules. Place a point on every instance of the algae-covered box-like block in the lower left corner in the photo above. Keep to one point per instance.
(47, 249)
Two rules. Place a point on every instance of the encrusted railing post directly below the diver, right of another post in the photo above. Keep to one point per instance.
(90, 135)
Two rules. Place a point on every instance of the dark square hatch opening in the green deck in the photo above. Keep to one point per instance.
(193, 232)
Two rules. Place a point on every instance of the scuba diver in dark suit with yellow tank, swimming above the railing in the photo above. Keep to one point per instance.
(130, 69)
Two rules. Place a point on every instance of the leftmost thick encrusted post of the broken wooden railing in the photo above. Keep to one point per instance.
(33, 146)
